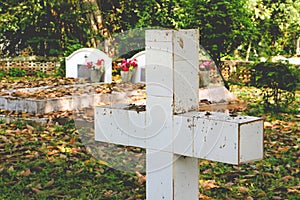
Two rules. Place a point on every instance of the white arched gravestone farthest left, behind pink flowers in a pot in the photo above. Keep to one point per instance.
(76, 63)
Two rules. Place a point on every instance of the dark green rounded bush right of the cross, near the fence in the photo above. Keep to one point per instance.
(278, 82)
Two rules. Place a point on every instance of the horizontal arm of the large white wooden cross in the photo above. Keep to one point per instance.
(212, 136)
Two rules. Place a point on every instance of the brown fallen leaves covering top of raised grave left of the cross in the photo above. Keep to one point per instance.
(45, 88)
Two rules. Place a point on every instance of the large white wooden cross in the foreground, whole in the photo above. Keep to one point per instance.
(171, 129)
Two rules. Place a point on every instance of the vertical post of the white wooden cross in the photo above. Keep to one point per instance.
(172, 88)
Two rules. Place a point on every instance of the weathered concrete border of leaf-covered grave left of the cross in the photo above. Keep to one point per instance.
(65, 103)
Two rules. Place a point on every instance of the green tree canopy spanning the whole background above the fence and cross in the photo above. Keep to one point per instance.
(250, 28)
